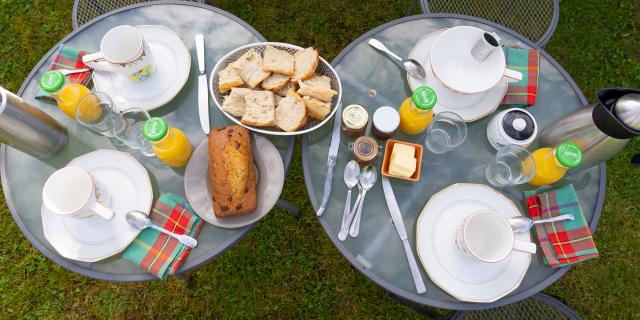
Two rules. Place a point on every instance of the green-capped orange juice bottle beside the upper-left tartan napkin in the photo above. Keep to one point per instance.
(67, 93)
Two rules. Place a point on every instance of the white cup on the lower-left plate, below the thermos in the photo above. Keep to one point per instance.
(71, 192)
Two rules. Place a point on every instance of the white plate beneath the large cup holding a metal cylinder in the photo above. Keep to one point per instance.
(469, 107)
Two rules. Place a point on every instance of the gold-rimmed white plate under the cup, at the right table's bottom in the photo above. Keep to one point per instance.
(456, 273)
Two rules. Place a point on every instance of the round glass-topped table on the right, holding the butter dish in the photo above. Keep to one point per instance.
(372, 79)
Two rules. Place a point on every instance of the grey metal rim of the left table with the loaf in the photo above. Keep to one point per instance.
(54, 256)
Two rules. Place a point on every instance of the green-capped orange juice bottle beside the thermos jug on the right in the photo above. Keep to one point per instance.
(553, 163)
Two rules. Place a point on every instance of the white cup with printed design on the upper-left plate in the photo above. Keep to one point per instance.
(124, 51)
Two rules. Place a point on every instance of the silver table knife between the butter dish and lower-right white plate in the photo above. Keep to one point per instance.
(394, 210)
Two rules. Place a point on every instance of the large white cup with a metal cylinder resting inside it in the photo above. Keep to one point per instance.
(454, 65)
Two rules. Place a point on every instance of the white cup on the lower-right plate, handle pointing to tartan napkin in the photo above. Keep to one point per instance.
(487, 237)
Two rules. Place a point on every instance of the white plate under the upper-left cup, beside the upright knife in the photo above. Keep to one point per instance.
(173, 64)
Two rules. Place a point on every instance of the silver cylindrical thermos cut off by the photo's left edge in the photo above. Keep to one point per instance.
(28, 128)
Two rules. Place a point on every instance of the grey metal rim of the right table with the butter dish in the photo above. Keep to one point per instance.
(411, 296)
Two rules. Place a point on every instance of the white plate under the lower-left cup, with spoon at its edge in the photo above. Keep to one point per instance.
(126, 186)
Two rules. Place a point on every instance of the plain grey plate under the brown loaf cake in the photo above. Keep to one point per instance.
(270, 169)
